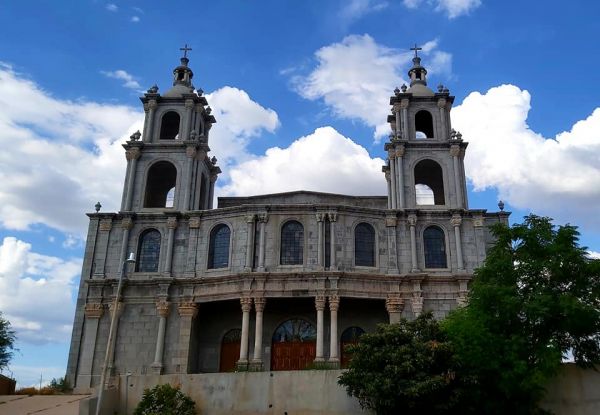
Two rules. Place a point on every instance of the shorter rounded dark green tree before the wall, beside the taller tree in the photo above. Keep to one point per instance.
(406, 368)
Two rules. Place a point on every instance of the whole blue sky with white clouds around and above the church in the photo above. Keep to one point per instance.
(300, 92)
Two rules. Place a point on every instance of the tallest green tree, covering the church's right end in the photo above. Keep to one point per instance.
(532, 304)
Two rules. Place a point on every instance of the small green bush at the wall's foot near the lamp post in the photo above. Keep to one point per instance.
(165, 400)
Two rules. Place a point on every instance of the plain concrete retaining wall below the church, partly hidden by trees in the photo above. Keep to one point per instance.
(316, 392)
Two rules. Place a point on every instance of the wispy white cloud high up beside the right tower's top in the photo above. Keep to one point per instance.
(356, 77)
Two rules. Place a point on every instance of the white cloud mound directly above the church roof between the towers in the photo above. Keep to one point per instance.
(322, 161)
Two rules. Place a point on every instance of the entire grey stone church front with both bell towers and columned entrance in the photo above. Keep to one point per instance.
(279, 281)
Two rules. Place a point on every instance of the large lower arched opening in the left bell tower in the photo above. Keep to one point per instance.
(162, 178)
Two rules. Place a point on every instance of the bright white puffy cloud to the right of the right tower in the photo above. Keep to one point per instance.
(555, 176)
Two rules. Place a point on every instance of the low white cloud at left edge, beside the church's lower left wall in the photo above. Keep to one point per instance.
(36, 292)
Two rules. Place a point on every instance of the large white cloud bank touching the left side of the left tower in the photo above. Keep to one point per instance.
(63, 156)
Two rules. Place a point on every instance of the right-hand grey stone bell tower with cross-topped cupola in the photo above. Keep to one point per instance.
(425, 168)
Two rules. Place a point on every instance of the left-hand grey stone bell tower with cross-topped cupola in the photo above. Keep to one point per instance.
(168, 167)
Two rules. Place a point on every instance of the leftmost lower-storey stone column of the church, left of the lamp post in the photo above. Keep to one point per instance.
(92, 312)
